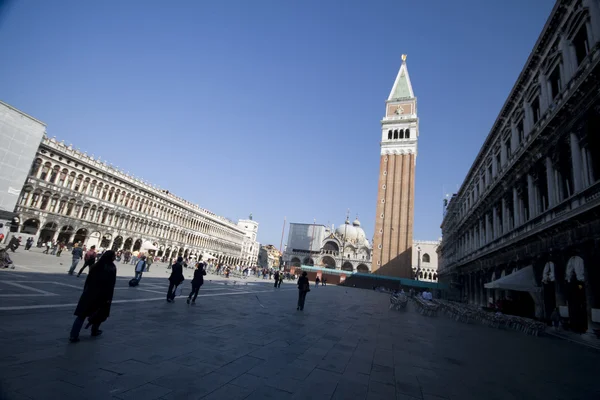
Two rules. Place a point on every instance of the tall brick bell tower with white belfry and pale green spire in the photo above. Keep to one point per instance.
(393, 239)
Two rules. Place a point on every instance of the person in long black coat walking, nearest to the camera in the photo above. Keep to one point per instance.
(96, 299)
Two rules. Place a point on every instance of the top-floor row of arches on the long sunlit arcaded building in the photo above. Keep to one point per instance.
(78, 183)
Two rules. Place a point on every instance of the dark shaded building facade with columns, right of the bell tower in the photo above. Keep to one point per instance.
(532, 195)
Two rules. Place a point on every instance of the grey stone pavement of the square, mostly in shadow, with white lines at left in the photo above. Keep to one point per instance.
(247, 341)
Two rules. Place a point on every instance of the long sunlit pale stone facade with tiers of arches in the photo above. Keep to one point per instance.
(73, 197)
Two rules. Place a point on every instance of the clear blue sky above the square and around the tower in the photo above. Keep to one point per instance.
(269, 107)
